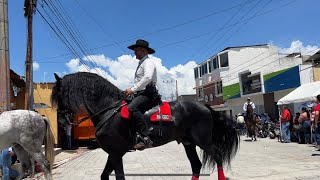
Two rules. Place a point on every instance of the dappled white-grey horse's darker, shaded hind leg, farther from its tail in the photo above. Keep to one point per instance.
(26, 163)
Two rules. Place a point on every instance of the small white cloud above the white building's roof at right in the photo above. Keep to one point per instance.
(297, 46)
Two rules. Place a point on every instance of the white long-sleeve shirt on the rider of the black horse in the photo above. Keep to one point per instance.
(146, 72)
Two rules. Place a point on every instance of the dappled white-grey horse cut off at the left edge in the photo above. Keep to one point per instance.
(25, 131)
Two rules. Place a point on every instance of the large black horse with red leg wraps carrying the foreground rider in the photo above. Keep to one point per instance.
(194, 124)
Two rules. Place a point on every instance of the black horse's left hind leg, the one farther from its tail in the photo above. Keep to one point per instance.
(194, 160)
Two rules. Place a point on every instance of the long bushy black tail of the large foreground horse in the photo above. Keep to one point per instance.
(225, 140)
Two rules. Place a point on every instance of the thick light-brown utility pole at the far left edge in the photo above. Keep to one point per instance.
(4, 58)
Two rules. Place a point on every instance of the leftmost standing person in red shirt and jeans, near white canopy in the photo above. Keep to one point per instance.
(285, 124)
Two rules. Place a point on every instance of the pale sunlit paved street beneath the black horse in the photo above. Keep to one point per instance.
(263, 159)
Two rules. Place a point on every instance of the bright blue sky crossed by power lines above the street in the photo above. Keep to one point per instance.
(183, 34)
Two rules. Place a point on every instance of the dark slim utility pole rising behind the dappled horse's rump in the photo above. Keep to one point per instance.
(29, 6)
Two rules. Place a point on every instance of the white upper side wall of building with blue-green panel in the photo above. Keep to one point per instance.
(259, 59)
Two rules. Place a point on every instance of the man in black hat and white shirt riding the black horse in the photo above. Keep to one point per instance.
(144, 89)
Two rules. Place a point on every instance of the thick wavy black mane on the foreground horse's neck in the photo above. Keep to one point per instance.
(84, 90)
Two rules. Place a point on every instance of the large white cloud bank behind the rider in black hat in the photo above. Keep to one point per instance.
(121, 71)
